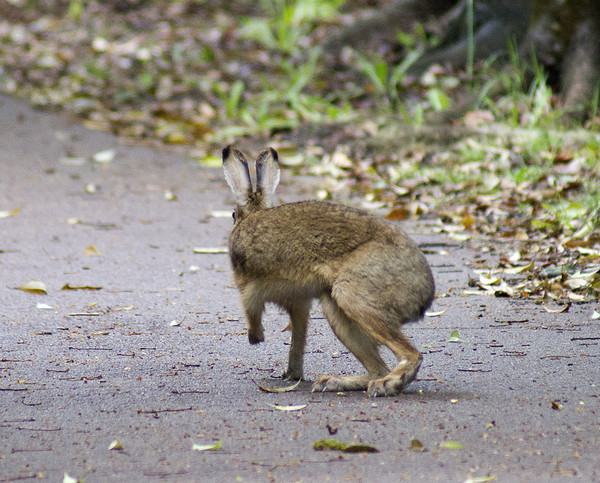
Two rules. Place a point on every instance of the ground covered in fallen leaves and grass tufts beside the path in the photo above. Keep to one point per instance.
(498, 178)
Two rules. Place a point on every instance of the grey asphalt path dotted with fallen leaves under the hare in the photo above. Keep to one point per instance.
(126, 377)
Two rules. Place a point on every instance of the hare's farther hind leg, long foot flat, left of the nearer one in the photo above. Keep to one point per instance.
(360, 343)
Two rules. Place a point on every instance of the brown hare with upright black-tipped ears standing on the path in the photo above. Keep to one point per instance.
(369, 276)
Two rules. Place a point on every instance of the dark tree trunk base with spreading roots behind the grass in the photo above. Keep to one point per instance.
(562, 35)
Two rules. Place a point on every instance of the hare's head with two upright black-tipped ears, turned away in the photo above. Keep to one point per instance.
(237, 175)
